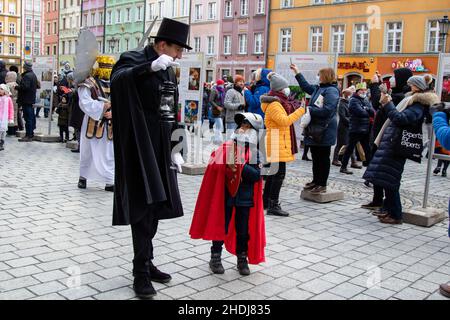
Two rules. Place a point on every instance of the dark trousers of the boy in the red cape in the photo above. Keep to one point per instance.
(241, 223)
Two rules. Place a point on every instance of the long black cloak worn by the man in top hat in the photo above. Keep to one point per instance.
(145, 180)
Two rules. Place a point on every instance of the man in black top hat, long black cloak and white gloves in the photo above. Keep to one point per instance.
(146, 186)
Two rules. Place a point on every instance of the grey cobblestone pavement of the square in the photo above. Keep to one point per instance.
(51, 232)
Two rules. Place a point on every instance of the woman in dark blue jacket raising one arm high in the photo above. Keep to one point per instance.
(323, 109)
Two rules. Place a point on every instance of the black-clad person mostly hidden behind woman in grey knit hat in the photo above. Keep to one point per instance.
(399, 88)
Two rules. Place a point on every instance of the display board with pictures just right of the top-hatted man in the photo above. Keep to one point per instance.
(190, 85)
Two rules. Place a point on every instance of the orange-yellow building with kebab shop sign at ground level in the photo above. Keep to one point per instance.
(370, 36)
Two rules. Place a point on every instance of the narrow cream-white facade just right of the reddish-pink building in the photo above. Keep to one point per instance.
(69, 26)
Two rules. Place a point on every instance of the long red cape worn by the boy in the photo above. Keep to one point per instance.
(208, 222)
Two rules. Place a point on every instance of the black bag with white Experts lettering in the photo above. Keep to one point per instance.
(409, 143)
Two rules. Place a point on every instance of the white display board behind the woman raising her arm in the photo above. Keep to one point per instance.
(308, 63)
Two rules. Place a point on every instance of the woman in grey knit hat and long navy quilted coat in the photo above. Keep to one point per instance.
(386, 168)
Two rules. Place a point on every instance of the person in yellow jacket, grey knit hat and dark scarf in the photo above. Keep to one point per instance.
(281, 145)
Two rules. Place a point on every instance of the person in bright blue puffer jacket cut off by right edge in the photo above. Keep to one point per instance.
(442, 130)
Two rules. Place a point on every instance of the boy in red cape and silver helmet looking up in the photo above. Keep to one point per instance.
(229, 207)
